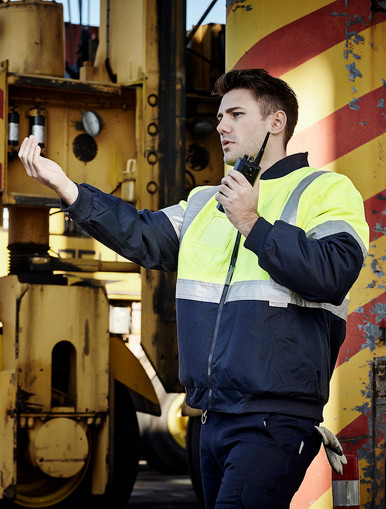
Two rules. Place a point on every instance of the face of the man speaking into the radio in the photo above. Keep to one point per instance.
(241, 126)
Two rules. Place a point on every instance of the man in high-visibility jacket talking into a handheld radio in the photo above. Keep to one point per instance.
(261, 290)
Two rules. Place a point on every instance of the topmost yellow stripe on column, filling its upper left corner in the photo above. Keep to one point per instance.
(247, 27)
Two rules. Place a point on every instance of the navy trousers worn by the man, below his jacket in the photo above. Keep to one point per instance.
(254, 460)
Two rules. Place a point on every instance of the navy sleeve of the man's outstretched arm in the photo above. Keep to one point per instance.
(144, 237)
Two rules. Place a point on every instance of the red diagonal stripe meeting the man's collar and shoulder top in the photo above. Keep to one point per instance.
(344, 130)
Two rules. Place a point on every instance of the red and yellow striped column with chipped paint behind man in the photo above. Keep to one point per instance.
(333, 54)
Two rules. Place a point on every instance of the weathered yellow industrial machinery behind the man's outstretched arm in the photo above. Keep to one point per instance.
(133, 126)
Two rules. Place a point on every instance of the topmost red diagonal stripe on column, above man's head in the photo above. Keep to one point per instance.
(307, 37)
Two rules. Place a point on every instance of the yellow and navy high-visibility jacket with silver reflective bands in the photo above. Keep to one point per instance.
(268, 339)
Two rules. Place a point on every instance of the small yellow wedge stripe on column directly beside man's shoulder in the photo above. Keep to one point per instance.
(364, 166)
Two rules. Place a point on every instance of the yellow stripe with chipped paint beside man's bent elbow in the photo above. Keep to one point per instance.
(361, 293)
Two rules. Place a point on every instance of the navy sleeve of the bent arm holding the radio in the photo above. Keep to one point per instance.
(320, 270)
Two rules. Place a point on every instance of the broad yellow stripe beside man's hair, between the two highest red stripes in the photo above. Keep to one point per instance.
(322, 83)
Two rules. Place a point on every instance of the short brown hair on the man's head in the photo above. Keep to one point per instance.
(274, 93)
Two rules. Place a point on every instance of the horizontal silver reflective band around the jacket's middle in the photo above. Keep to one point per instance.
(267, 291)
